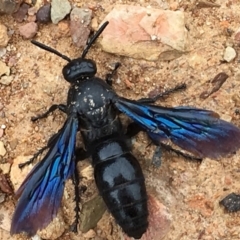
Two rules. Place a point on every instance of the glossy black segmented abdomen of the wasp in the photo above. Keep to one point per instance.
(120, 181)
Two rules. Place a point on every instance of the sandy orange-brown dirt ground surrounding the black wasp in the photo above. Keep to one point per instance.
(191, 191)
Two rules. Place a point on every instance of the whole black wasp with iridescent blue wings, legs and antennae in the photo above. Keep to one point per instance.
(93, 108)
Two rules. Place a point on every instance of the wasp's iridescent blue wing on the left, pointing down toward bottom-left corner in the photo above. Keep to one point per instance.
(42, 190)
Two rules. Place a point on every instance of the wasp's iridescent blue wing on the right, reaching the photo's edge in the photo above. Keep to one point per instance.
(198, 131)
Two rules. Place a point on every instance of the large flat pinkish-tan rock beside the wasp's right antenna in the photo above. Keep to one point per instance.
(145, 33)
